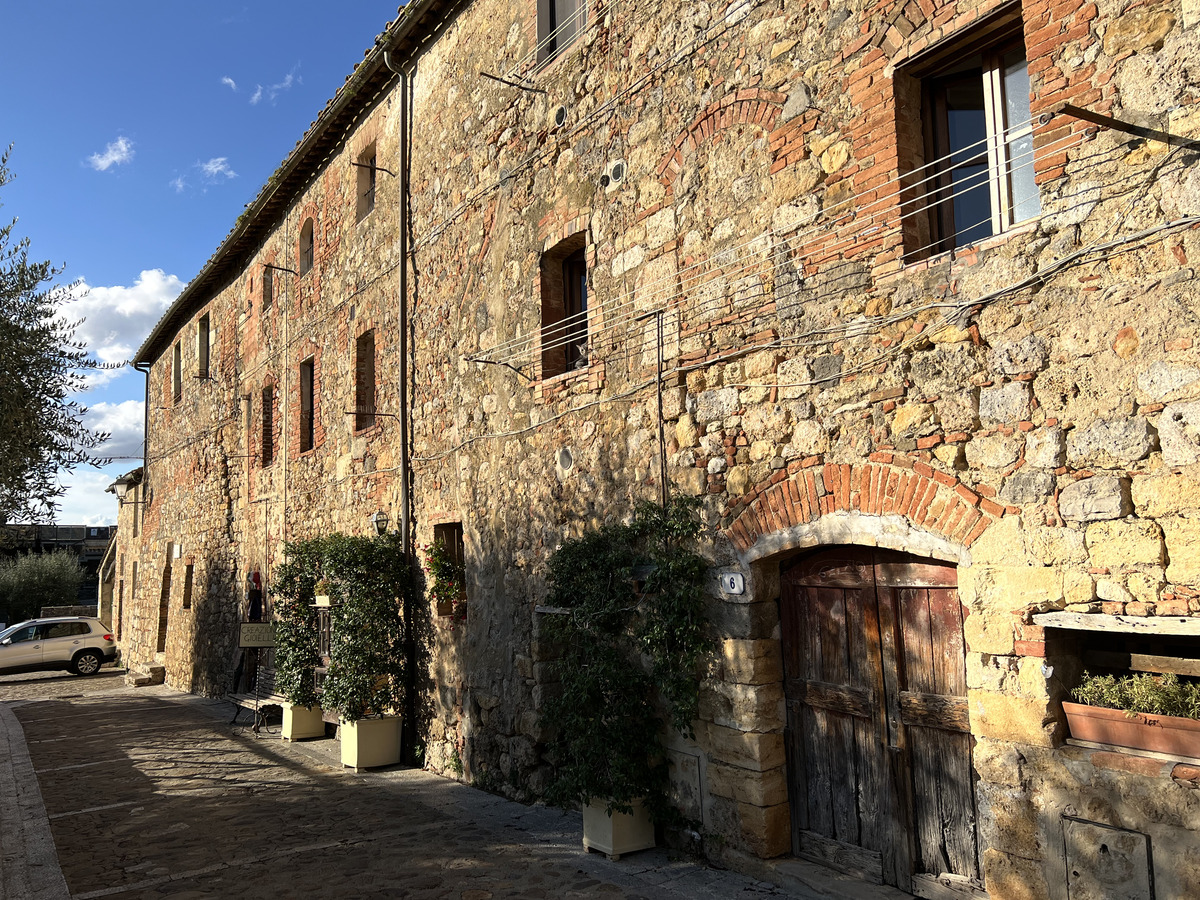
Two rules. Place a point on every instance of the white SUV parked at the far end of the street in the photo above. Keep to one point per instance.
(73, 643)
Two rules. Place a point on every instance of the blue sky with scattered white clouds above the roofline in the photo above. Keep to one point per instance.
(140, 133)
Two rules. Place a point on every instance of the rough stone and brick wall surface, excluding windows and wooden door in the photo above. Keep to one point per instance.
(1024, 409)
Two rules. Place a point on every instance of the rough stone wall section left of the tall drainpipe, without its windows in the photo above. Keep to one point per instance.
(209, 491)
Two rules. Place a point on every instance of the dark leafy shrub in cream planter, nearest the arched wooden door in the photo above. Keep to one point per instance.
(628, 604)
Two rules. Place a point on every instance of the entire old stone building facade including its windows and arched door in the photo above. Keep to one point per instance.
(904, 291)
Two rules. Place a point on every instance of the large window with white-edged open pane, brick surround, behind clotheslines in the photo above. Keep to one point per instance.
(973, 165)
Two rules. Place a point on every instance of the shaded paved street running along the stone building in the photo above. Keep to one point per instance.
(153, 794)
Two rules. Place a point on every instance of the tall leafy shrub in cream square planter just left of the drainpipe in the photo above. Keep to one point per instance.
(367, 679)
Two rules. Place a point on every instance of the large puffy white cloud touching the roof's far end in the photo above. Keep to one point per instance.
(118, 319)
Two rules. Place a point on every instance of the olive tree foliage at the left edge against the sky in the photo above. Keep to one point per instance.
(44, 368)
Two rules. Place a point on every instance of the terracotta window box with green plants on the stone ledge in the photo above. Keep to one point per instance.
(1143, 712)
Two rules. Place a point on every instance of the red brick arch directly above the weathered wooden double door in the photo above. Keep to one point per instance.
(932, 502)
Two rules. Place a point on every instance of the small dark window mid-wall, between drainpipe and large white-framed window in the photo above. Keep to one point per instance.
(565, 308)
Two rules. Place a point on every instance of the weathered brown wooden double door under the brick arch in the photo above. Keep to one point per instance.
(879, 746)
